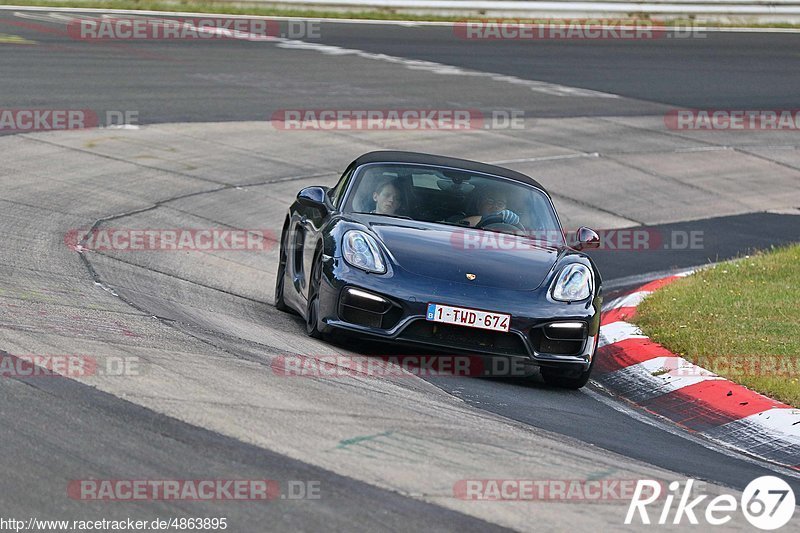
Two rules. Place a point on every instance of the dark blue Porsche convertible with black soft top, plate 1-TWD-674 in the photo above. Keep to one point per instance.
(446, 253)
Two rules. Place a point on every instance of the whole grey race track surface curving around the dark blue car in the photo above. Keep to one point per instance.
(206, 401)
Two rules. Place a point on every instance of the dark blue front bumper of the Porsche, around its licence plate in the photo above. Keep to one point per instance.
(408, 295)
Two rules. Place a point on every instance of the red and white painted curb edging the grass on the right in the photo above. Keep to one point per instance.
(647, 374)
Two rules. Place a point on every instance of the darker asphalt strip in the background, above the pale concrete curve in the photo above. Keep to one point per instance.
(192, 81)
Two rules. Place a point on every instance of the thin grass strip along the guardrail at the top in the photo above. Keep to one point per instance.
(201, 6)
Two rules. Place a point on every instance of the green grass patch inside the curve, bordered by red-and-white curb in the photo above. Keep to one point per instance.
(739, 319)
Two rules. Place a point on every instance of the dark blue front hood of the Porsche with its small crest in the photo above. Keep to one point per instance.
(450, 253)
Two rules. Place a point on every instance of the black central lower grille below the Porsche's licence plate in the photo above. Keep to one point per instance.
(464, 338)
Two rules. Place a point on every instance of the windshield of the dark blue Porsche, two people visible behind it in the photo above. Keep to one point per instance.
(455, 197)
